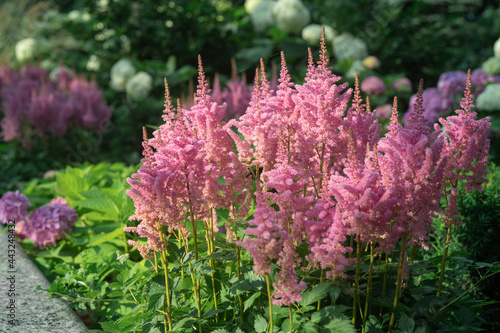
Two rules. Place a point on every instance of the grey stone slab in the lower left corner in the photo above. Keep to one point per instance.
(23, 309)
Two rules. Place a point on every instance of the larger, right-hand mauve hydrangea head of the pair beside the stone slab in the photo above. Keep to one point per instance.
(48, 223)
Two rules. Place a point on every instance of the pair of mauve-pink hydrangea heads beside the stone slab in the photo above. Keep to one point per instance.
(44, 225)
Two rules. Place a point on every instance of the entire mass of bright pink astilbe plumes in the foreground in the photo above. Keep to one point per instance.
(323, 172)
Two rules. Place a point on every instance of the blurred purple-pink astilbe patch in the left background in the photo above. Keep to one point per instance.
(31, 102)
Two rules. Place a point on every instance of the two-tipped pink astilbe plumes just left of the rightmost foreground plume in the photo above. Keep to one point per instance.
(412, 167)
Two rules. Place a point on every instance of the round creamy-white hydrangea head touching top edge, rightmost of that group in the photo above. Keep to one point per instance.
(291, 15)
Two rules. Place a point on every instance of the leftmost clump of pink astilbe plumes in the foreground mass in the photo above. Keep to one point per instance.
(181, 169)
